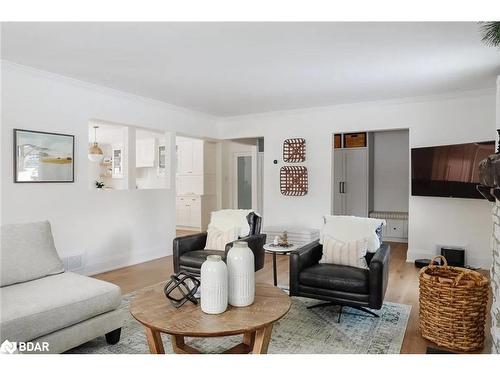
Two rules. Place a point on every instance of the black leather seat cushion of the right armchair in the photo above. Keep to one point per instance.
(335, 277)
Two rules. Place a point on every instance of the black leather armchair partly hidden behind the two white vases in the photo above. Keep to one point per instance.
(189, 251)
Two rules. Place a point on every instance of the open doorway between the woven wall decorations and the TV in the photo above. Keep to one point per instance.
(371, 176)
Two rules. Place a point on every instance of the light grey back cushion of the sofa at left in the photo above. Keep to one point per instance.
(27, 253)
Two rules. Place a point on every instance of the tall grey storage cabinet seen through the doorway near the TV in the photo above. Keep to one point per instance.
(351, 180)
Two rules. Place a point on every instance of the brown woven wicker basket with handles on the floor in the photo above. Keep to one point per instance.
(453, 306)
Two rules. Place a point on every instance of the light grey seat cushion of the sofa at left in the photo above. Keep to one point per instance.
(39, 307)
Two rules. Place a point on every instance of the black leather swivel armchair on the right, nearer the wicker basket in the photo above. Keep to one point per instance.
(339, 285)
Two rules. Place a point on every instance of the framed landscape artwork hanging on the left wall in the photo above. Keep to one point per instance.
(43, 157)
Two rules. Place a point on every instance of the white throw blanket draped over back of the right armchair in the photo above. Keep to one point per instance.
(351, 228)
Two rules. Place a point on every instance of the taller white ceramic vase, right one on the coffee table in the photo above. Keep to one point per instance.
(241, 270)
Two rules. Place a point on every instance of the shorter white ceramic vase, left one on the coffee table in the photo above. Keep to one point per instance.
(214, 287)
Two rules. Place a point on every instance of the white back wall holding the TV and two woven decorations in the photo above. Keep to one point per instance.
(459, 118)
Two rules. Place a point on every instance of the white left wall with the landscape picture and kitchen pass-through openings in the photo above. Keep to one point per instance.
(113, 228)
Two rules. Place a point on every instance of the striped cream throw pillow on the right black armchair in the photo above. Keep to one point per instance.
(350, 253)
